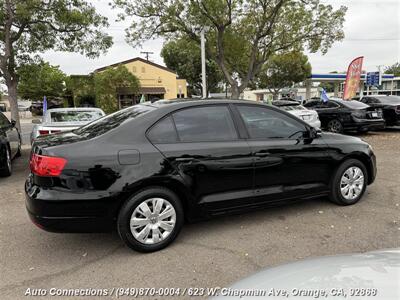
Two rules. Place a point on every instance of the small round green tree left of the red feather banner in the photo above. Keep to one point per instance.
(284, 70)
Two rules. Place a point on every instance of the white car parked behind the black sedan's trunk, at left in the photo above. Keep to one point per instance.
(64, 119)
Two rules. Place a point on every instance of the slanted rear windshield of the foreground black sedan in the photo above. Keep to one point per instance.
(107, 123)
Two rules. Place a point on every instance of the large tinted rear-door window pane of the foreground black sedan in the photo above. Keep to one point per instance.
(200, 124)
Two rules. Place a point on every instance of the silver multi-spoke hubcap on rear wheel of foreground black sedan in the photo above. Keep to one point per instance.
(152, 221)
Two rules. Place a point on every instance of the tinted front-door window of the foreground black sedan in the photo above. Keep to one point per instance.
(266, 123)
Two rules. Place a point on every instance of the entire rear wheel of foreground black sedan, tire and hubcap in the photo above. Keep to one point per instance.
(148, 233)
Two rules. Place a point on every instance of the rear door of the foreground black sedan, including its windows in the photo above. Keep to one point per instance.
(203, 145)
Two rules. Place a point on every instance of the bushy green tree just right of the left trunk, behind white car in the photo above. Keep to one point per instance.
(47, 81)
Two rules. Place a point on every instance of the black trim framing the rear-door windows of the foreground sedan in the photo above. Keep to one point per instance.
(179, 141)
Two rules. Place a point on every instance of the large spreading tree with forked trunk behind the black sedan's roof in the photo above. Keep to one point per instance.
(241, 34)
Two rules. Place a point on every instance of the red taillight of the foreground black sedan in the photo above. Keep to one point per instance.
(47, 165)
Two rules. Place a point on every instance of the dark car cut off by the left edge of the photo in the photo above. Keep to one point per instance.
(10, 144)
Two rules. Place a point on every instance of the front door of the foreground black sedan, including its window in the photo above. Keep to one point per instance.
(287, 165)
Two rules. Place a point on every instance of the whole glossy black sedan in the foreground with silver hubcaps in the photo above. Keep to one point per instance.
(147, 168)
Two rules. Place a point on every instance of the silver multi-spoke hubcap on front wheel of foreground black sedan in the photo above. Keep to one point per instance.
(352, 183)
